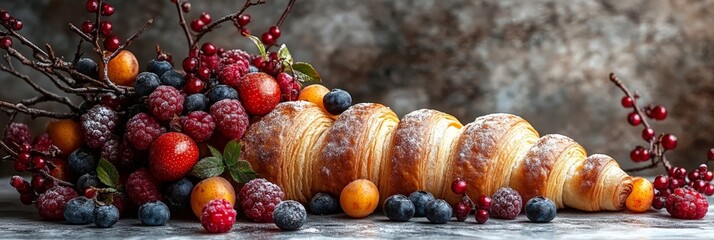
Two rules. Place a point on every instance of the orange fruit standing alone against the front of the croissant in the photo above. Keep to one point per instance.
(359, 198)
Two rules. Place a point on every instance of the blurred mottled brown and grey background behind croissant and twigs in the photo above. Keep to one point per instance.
(546, 61)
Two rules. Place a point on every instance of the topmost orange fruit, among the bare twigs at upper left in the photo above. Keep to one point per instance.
(123, 68)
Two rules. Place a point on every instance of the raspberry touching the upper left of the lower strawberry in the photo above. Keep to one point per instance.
(142, 129)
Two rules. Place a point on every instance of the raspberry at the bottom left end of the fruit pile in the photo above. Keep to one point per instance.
(50, 204)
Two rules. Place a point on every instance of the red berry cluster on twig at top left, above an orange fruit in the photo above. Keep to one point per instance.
(103, 27)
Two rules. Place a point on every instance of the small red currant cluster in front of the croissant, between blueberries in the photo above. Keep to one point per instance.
(464, 207)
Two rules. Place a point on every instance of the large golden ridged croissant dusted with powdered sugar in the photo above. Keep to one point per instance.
(305, 151)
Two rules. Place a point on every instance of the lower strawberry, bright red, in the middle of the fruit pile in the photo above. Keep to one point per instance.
(171, 156)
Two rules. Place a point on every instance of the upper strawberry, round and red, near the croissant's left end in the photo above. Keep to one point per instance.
(259, 93)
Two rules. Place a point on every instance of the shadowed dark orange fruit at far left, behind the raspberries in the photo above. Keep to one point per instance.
(66, 134)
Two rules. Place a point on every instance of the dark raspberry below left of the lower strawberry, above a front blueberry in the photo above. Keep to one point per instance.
(142, 187)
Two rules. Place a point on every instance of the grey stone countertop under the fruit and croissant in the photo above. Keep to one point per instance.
(22, 222)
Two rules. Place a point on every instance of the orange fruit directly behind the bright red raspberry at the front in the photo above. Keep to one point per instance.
(210, 189)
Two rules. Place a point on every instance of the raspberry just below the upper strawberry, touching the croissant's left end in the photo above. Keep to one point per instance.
(230, 118)
